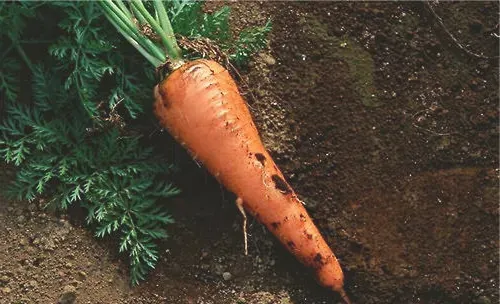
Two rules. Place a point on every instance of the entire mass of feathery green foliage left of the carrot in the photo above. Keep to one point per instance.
(75, 140)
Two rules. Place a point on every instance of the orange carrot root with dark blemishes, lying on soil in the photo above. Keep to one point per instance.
(200, 105)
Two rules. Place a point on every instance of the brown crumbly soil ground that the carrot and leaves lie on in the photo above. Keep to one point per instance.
(382, 123)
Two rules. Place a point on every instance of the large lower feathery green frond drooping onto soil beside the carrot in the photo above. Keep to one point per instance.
(112, 173)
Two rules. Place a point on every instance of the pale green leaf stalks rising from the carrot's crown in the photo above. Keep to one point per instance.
(123, 20)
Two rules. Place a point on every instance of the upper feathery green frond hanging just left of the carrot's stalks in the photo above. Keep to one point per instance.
(89, 53)
